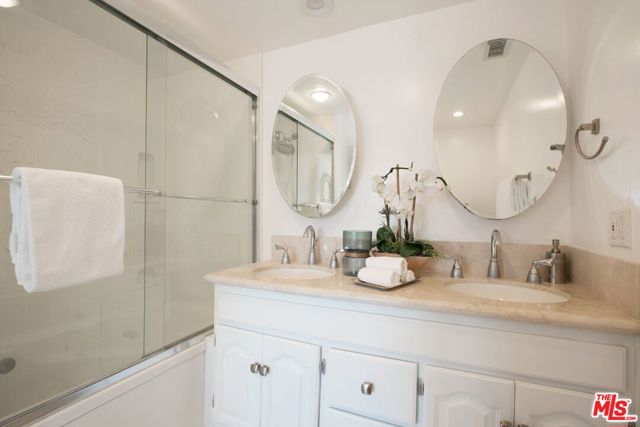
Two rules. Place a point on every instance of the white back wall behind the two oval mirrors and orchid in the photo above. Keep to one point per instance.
(393, 84)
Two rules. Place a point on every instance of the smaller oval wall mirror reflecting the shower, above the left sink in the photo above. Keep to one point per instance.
(313, 148)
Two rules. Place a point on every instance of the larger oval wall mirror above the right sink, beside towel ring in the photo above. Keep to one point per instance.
(500, 128)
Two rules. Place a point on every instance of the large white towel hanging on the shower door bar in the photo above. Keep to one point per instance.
(68, 228)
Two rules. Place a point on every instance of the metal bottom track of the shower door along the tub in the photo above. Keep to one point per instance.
(49, 407)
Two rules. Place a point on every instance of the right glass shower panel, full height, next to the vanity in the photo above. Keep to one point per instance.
(200, 154)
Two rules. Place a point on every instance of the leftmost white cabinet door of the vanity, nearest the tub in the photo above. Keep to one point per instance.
(236, 388)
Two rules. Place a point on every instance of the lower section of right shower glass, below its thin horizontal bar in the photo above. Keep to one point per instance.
(202, 236)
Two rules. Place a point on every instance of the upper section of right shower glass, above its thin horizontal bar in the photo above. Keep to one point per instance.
(209, 134)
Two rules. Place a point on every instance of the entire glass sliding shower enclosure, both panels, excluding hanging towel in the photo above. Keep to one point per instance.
(82, 89)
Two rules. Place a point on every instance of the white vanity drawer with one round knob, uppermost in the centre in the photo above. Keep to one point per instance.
(375, 387)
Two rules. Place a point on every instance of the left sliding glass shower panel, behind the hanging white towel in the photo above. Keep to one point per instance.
(72, 97)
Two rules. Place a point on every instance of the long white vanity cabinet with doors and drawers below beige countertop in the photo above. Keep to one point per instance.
(392, 366)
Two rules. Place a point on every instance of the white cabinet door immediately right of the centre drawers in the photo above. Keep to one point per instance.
(456, 398)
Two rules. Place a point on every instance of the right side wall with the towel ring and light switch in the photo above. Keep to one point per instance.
(605, 69)
